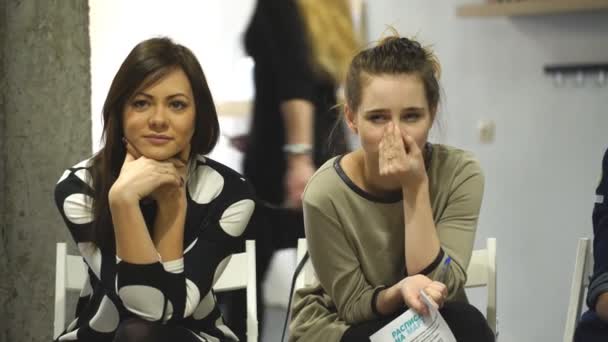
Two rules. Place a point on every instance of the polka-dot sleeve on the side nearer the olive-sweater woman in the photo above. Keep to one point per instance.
(221, 230)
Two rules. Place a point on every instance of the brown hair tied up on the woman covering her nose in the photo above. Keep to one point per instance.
(394, 55)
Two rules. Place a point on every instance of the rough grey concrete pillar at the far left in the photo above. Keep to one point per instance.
(44, 128)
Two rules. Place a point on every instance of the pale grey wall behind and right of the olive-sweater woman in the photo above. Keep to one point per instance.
(543, 167)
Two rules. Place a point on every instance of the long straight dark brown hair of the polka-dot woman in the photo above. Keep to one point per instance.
(148, 62)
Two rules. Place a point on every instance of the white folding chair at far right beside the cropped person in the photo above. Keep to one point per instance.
(583, 266)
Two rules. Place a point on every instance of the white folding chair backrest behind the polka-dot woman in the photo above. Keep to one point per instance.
(240, 273)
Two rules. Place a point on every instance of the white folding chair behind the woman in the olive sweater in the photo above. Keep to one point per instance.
(481, 272)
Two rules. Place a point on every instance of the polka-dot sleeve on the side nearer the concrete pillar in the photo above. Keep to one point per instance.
(151, 291)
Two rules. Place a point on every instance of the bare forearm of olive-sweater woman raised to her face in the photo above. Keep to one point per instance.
(421, 240)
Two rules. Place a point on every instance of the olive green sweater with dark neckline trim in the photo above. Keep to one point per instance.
(356, 241)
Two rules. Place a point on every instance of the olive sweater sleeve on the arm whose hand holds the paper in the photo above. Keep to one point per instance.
(337, 267)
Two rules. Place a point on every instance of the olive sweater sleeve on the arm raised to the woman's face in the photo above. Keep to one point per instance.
(457, 224)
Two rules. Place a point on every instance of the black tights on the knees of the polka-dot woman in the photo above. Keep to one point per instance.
(139, 330)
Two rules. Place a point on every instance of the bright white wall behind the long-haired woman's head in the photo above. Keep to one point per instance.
(211, 29)
